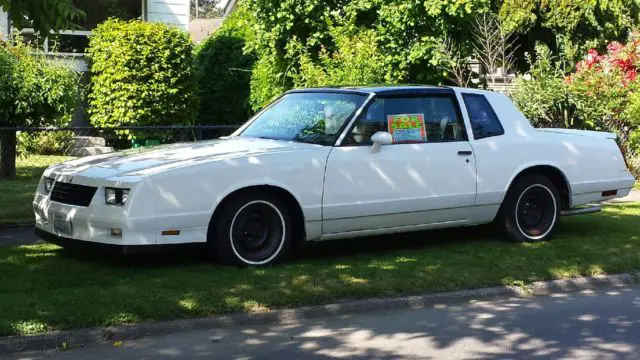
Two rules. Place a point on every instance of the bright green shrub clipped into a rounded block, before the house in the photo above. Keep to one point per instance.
(142, 74)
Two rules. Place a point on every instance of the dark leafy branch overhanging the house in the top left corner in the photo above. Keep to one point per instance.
(43, 15)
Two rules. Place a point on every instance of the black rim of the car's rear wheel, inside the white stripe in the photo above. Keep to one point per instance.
(536, 211)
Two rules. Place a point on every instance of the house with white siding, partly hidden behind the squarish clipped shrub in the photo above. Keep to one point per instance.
(73, 43)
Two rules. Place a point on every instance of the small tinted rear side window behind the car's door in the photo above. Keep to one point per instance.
(484, 121)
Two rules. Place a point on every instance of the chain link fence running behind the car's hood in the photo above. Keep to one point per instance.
(40, 147)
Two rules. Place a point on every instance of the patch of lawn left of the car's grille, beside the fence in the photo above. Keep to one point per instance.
(17, 194)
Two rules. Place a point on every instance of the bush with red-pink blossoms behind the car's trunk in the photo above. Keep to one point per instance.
(603, 93)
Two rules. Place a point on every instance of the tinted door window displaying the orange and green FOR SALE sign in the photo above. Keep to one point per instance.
(422, 119)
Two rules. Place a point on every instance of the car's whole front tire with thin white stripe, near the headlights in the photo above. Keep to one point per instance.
(251, 229)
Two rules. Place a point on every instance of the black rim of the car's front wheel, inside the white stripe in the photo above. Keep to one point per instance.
(257, 232)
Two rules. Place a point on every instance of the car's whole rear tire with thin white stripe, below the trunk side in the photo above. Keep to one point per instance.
(530, 210)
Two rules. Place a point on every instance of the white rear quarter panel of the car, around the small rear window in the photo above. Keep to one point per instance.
(589, 164)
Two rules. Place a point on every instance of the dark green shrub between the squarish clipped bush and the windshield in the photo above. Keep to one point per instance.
(224, 73)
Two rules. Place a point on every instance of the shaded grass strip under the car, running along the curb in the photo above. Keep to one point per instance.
(43, 287)
